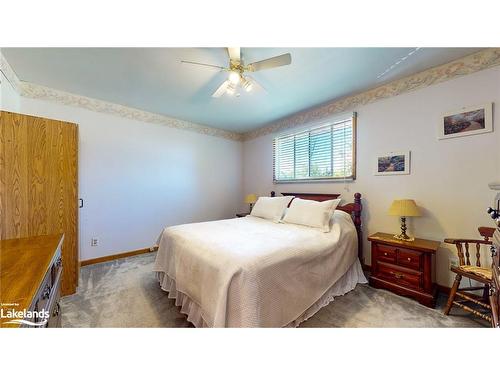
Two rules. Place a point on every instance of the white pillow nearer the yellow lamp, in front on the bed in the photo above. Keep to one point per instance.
(311, 213)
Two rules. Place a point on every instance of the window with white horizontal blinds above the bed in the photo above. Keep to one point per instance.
(326, 152)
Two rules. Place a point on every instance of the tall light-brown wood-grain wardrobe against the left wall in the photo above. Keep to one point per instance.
(39, 184)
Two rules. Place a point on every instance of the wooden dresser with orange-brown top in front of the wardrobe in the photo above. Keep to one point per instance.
(30, 281)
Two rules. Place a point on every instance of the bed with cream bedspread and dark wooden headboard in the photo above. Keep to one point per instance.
(252, 272)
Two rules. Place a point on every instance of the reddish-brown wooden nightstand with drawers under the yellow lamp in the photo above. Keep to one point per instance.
(404, 267)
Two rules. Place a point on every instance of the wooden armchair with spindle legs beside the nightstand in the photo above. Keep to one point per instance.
(465, 269)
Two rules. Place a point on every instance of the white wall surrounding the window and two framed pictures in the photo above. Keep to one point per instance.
(449, 178)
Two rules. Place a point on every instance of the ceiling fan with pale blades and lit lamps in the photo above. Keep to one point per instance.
(238, 71)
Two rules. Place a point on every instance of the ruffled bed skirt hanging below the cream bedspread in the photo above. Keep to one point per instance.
(193, 311)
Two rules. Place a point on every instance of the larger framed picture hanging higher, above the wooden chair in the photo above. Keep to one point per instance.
(466, 121)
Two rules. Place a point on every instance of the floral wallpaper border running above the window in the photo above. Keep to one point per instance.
(481, 60)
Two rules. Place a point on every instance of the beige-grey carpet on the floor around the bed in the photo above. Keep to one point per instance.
(125, 293)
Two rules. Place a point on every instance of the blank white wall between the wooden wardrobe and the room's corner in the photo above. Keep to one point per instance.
(136, 178)
